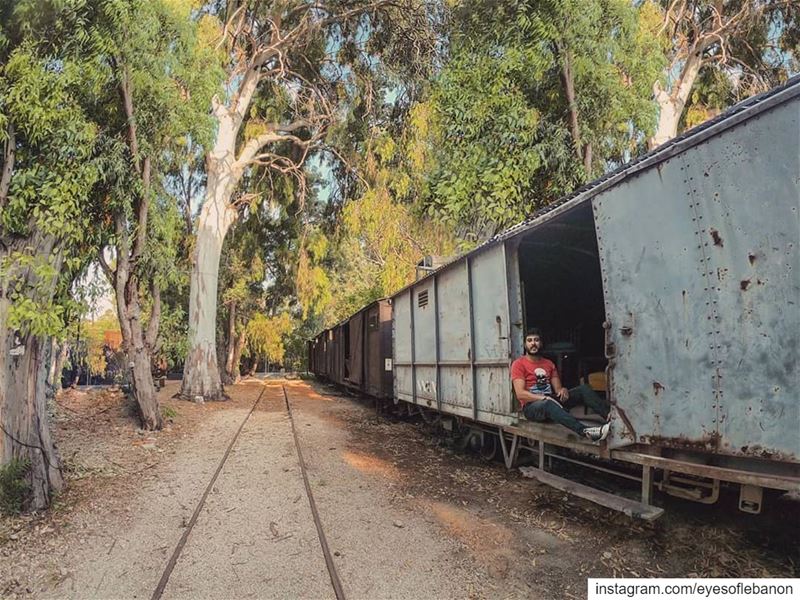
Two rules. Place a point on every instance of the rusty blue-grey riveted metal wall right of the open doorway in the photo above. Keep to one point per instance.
(701, 273)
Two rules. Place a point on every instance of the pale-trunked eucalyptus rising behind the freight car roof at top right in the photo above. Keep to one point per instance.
(736, 47)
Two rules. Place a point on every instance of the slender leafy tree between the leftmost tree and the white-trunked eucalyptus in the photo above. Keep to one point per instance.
(157, 85)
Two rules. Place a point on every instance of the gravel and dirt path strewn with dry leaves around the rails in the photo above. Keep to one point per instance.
(405, 516)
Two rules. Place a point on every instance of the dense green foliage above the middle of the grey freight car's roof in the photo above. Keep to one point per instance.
(499, 141)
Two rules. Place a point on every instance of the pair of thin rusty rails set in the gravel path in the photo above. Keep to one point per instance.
(176, 554)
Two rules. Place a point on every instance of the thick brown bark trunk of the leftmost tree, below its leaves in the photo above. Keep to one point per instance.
(24, 362)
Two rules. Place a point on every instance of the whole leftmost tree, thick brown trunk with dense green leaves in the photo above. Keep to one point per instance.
(50, 165)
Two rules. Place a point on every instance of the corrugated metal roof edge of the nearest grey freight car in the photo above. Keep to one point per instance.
(742, 111)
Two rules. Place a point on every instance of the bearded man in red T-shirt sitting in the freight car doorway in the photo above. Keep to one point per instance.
(542, 397)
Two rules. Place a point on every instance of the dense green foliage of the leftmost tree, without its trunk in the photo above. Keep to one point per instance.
(47, 220)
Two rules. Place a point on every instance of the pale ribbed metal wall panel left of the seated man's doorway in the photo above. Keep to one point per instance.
(452, 338)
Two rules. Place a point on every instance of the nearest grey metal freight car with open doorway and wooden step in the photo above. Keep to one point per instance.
(671, 285)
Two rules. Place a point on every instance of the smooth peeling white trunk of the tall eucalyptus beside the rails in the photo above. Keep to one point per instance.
(201, 376)
